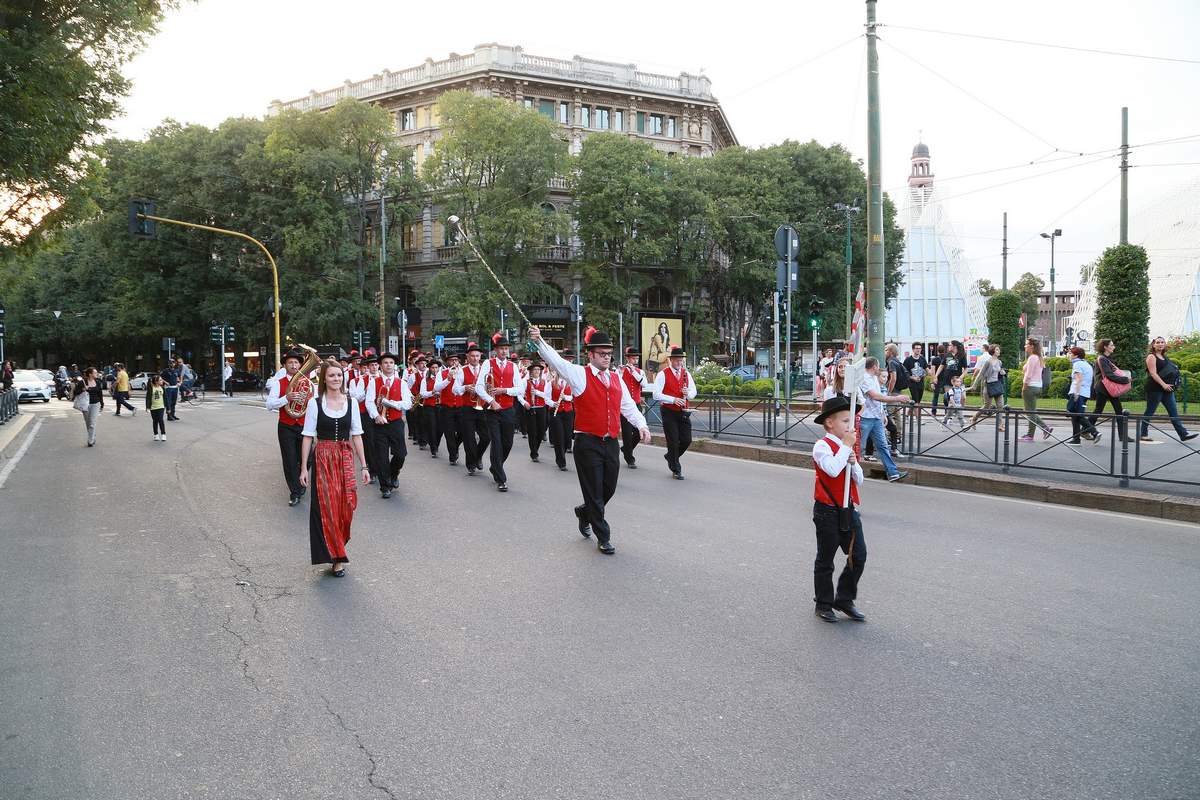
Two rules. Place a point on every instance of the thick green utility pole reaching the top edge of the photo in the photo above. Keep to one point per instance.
(875, 191)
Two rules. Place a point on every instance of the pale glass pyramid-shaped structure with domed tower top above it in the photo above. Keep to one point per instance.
(939, 300)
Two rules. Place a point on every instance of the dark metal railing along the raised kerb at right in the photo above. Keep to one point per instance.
(993, 440)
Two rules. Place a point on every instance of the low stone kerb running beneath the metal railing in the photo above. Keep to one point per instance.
(1143, 504)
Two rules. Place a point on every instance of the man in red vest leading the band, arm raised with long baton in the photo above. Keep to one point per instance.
(602, 399)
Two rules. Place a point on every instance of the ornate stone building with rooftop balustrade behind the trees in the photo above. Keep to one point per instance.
(676, 115)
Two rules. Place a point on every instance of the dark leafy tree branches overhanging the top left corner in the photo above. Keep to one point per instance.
(59, 81)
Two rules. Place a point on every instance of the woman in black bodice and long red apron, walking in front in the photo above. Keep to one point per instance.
(333, 422)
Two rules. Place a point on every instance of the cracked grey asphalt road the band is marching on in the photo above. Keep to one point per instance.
(165, 636)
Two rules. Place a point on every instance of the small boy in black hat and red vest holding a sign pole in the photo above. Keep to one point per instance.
(838, 527)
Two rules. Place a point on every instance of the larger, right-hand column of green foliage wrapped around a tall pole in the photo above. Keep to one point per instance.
(1123, 304)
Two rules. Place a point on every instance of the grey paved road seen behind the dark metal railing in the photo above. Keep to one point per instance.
(1174, 466)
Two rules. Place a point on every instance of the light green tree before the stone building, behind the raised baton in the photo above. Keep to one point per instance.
(493, 169)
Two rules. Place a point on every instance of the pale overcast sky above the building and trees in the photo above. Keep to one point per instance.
(773, 71)
